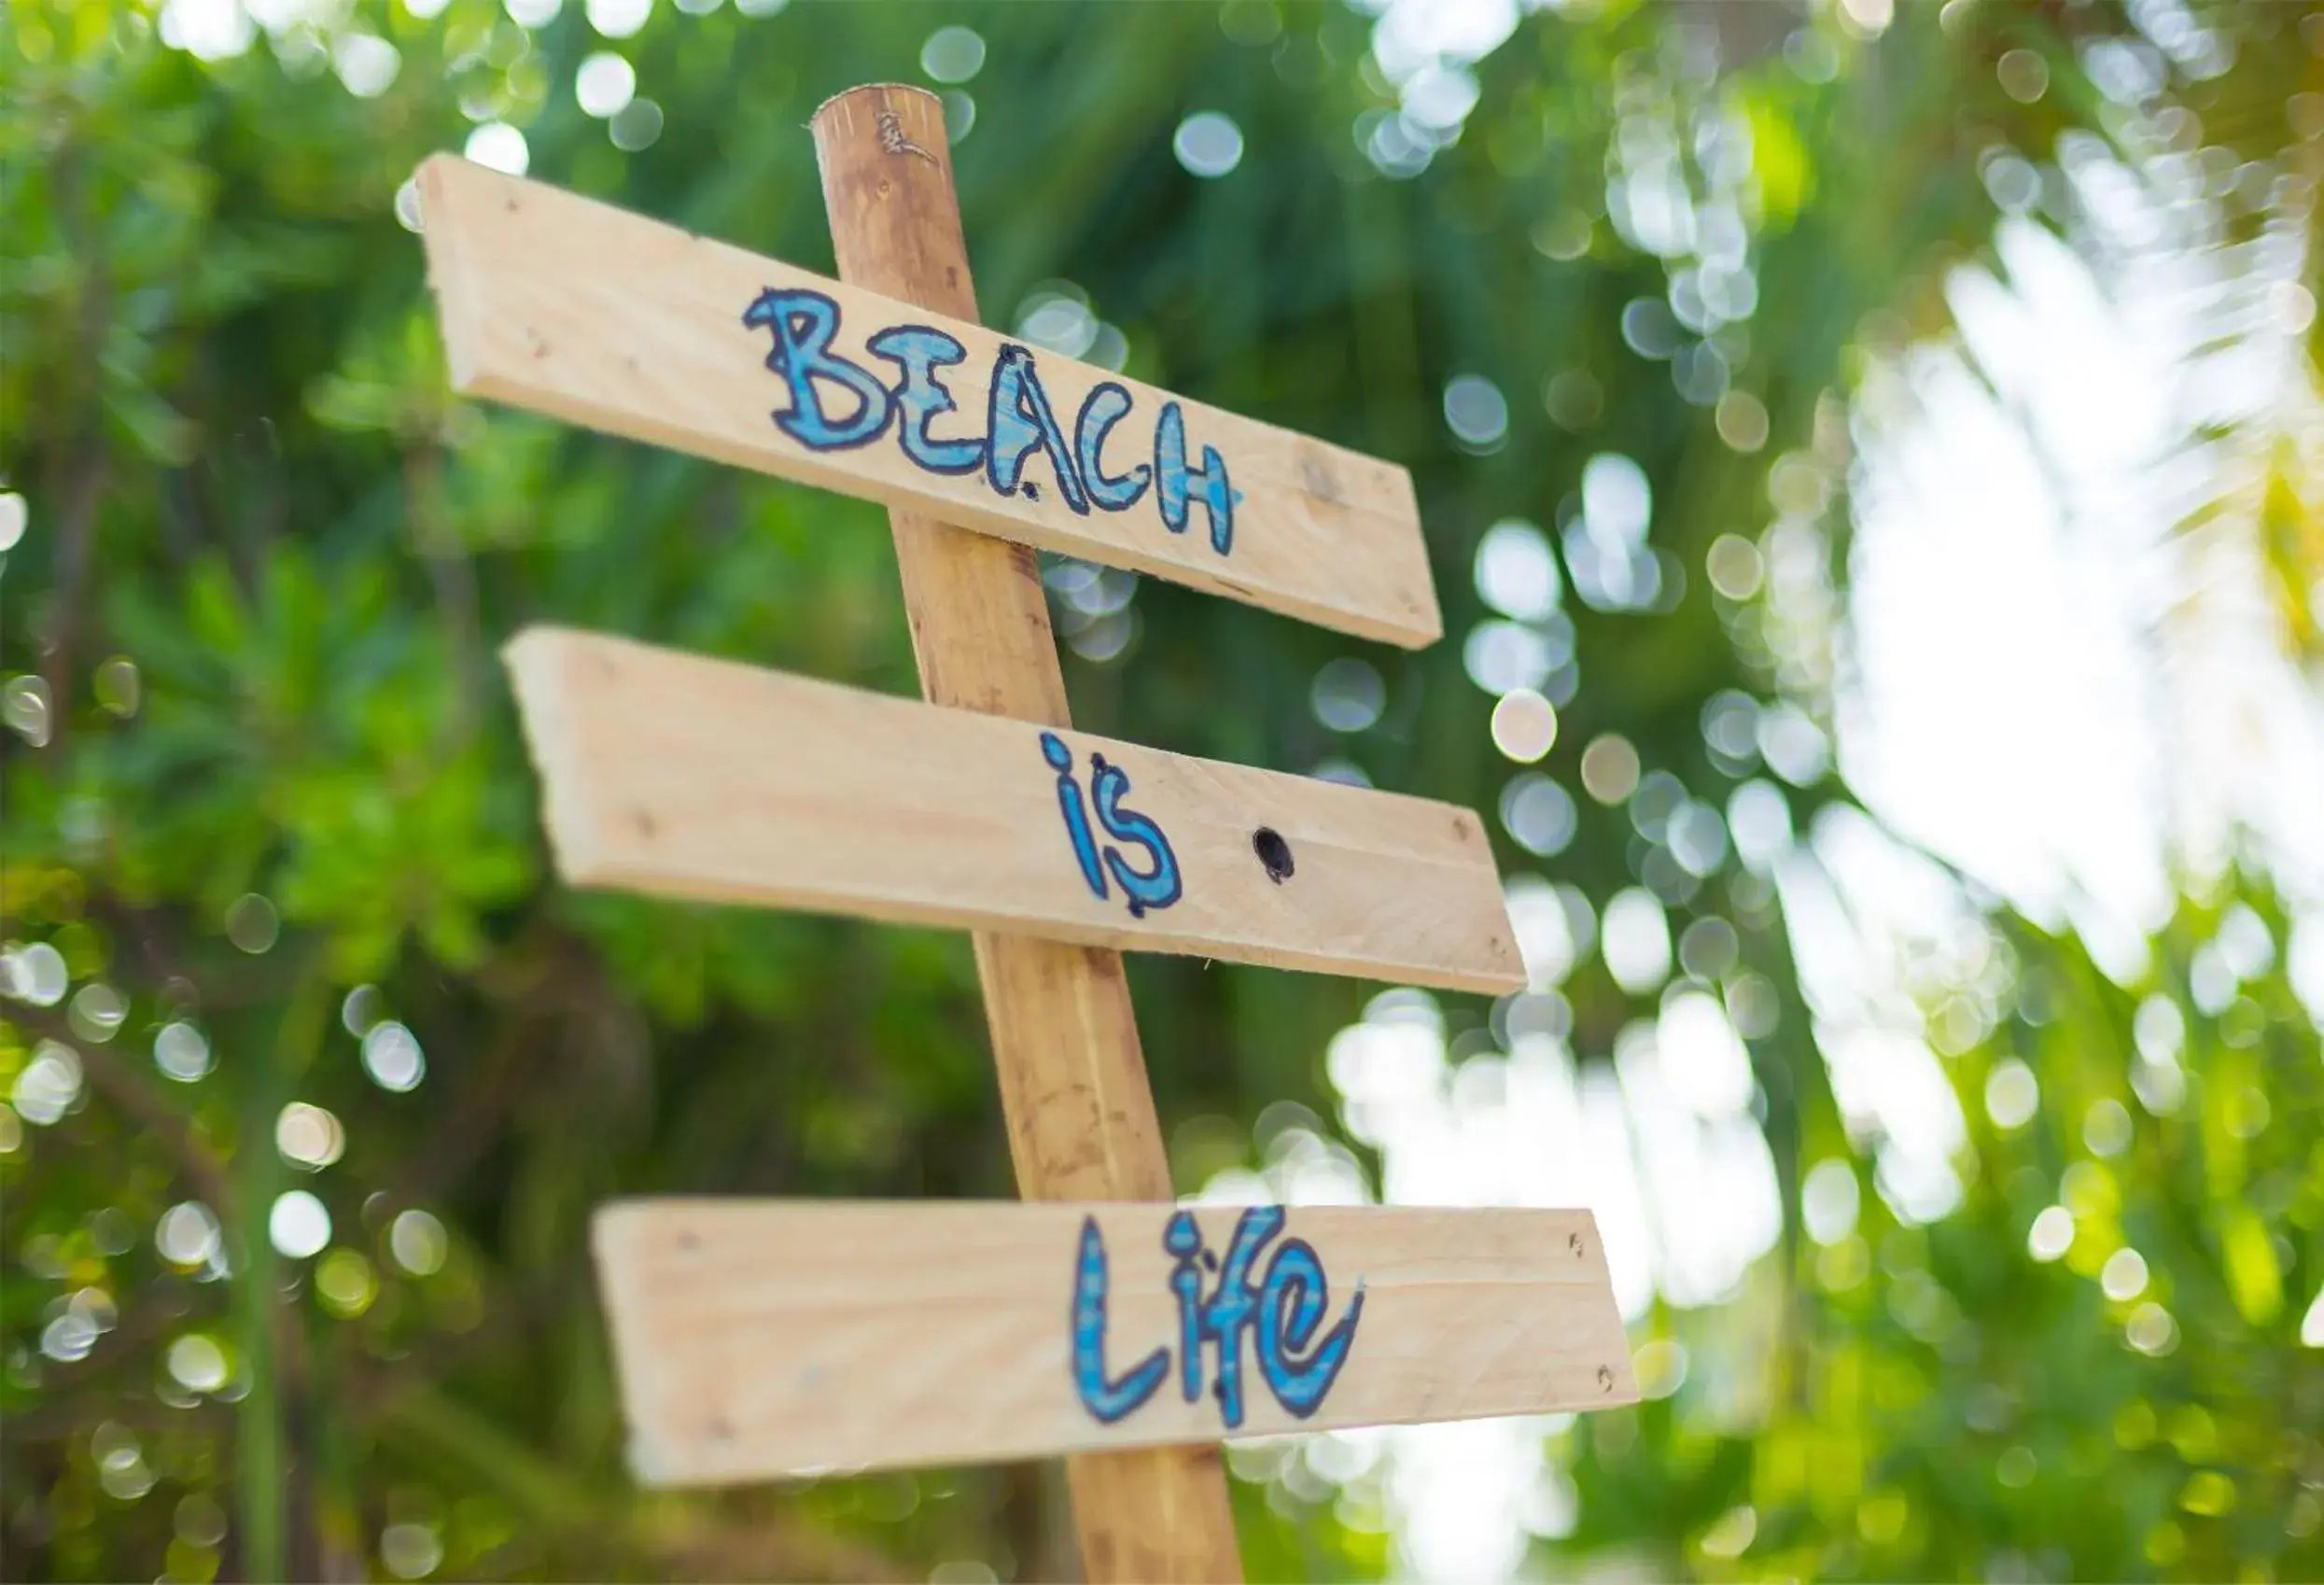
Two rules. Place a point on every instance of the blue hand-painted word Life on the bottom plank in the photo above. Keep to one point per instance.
(1284, 1312)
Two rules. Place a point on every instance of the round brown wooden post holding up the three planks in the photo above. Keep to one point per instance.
(1082, 1117)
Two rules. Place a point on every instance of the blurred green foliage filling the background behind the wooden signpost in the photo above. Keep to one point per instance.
(224, 399)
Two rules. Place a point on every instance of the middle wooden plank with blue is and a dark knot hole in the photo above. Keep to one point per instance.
(689, 777)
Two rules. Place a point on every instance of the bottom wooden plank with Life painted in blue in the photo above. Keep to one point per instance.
(763, 1337)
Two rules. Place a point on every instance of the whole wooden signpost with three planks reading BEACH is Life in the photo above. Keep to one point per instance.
(1110, 1326)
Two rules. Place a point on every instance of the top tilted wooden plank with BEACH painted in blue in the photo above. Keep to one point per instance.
(638, 329)
